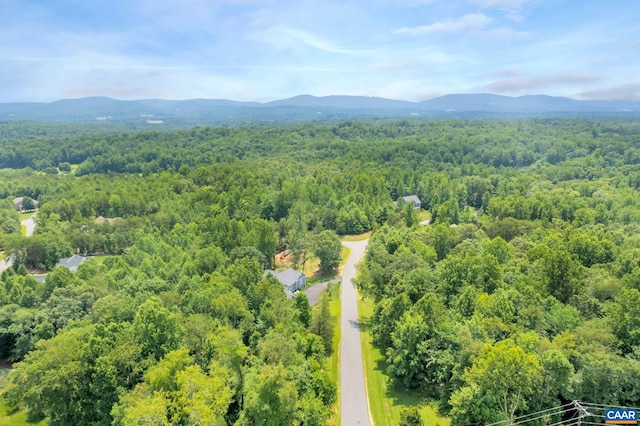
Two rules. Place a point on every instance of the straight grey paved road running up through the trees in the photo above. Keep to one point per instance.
(354, 409)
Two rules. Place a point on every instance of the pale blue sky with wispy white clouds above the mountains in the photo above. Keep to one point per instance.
(260, 50)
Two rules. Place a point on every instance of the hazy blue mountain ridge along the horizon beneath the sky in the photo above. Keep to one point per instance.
(307, 107)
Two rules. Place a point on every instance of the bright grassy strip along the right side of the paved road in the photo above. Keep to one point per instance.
(386, 400)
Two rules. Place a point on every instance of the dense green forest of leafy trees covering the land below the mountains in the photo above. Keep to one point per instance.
(522, 293)
